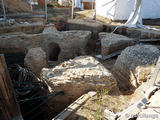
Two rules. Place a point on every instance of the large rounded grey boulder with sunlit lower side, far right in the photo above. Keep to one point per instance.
(135, 65)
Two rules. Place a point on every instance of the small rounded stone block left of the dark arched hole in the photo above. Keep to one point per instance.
(35, 60)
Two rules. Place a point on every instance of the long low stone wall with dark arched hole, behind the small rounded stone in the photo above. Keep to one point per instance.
(71, 43)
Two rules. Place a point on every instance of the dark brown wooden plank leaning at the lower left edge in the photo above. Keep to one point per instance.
(7, 92)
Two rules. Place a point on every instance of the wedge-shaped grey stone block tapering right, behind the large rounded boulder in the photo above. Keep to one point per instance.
(111, 43)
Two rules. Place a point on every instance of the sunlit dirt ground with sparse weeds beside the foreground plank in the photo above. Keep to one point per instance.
(94, 108)
